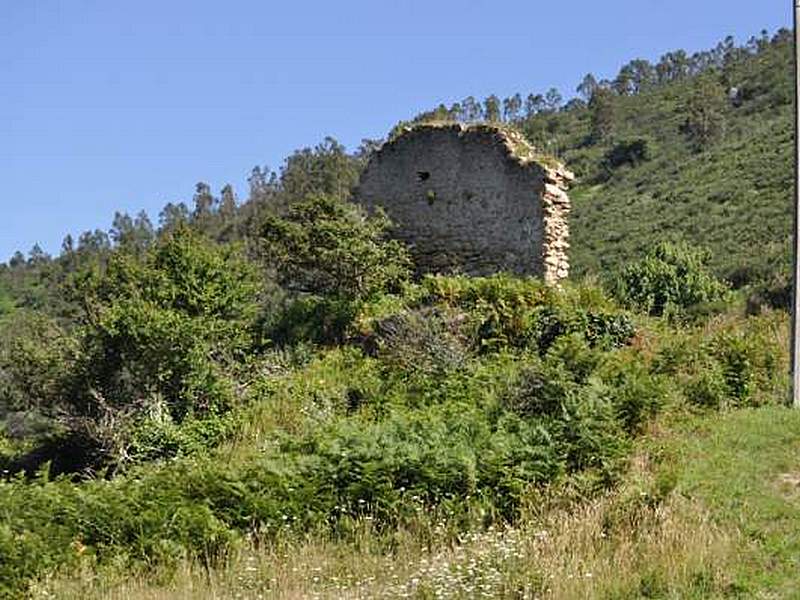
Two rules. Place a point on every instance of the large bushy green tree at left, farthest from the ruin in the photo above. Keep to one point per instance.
(167, 325)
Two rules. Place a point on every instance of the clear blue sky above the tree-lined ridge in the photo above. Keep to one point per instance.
(124, 105)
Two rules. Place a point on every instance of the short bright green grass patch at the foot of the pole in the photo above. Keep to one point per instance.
(745, 467)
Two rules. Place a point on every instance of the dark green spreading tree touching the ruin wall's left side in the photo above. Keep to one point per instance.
(329, 247)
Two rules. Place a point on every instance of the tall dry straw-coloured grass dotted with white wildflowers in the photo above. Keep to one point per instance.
(627, 544)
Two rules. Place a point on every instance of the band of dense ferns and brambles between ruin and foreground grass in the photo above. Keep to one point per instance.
(452, 402)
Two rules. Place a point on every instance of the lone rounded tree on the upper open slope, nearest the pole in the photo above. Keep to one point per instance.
(705, 110)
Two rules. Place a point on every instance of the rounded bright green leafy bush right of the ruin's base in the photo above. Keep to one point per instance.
(670, 279)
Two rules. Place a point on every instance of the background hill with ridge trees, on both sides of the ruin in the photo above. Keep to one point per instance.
(694, 147)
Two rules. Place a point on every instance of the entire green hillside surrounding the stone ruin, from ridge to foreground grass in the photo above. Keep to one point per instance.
(262, 399)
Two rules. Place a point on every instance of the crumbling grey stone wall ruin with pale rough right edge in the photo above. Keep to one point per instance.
(473, 199)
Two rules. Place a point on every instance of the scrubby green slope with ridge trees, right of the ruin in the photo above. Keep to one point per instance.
(695, 147)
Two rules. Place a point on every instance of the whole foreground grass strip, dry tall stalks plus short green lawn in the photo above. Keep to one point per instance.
(708, 509)
